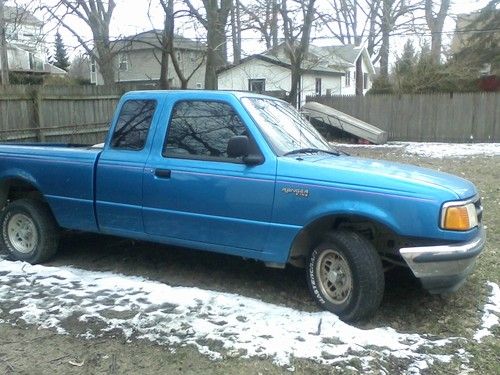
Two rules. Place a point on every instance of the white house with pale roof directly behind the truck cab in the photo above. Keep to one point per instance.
(332, 70)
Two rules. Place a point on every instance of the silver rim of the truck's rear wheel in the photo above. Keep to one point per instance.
(22, 233)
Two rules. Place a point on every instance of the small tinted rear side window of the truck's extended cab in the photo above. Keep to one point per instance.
(133, 124)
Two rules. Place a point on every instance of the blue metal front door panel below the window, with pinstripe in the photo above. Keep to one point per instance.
(221, 203)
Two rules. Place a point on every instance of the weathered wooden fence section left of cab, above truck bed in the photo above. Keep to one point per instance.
(79, 114)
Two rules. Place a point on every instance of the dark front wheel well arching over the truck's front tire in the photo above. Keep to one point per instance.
(385, 241)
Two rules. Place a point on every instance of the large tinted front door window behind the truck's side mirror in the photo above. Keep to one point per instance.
(201, 130)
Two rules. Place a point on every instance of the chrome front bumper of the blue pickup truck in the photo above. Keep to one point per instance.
(443, 268)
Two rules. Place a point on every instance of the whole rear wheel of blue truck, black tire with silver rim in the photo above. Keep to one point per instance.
(29, 231)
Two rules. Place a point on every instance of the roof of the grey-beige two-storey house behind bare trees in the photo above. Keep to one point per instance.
(151, 39)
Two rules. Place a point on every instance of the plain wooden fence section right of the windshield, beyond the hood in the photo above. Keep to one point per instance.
(471, 117)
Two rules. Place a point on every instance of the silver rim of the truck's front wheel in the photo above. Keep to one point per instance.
(335, 276)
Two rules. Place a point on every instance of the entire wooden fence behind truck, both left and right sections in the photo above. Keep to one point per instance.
(81, 114)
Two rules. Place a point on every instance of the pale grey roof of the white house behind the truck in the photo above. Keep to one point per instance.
(329, 59)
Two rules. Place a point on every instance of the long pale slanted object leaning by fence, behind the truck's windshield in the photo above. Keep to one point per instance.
(343, 121)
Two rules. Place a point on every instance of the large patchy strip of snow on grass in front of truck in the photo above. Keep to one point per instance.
(90, 304)
